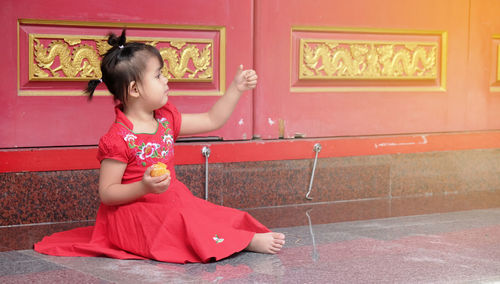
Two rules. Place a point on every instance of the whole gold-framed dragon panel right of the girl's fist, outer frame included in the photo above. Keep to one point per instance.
(343, 59)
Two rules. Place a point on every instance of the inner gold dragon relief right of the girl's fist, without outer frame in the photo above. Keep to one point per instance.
(345, 59)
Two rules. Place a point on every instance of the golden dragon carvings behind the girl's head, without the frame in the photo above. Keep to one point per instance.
(83, 61)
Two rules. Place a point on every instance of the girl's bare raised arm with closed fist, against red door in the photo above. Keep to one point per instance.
(216, 117)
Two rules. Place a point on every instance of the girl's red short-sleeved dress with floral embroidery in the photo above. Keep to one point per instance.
(174, 226)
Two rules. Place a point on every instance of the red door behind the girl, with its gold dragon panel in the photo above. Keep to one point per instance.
(49, 48)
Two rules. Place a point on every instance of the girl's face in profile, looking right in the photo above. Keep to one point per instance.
(153, 87)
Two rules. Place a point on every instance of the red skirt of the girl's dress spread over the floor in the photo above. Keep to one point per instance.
(174, 226)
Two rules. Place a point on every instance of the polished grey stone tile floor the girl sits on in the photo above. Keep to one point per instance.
(458, 247)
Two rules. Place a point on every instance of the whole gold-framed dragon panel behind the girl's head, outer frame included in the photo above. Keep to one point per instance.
(57, 58)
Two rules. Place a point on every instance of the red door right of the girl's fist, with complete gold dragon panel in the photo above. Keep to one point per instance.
(361, 67)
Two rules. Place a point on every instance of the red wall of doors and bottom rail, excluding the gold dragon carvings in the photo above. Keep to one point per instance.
(458, 109)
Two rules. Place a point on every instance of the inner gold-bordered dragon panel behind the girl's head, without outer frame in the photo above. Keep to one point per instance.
(73, 58)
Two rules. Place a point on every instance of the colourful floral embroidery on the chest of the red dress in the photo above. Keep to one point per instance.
(147, 152)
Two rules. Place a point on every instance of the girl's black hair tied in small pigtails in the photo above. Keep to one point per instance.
(122, 64)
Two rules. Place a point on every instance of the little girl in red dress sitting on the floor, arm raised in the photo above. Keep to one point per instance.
(145, 217)
